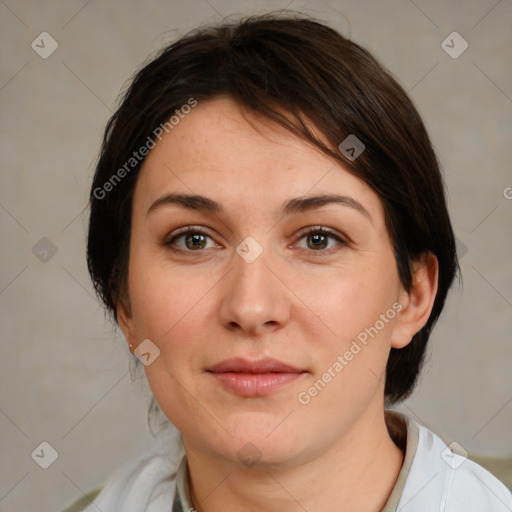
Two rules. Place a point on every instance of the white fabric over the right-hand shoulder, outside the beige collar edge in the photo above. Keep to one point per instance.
(442, 478)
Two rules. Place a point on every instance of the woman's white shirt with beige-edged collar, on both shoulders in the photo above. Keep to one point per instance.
(433, 478)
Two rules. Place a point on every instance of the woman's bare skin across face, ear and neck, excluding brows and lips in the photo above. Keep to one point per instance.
(296, 302)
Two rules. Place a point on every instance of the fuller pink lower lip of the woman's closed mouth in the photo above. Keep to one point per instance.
(254, 384)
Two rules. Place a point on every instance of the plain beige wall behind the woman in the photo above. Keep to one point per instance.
(64, 371)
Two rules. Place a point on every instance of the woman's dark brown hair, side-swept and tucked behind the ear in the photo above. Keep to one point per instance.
(293, 70)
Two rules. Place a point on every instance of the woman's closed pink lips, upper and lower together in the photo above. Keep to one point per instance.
(254, 378)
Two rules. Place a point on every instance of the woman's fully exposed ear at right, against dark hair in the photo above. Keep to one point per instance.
(416, 303)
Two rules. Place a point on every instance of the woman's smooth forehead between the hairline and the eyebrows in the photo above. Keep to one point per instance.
(220, 150)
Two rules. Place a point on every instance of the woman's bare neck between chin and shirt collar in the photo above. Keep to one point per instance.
(358, 473)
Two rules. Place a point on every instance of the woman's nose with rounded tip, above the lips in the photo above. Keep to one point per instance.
(255, 299)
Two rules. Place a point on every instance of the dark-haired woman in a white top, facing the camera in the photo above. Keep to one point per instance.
(268, 228)
